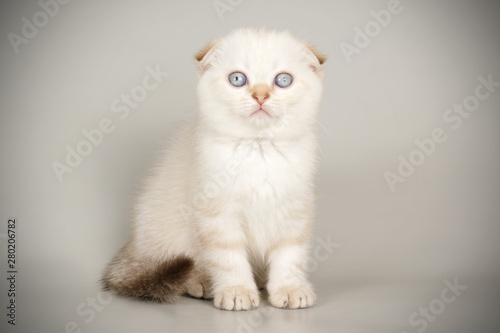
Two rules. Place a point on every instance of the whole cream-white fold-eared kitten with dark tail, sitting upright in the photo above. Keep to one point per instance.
(228, 210)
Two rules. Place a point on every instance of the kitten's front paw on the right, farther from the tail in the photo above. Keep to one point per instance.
(293, 297)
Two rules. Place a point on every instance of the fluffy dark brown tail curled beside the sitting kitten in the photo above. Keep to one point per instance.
(160, 282)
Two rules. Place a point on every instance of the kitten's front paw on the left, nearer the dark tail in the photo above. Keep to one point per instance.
(237, 298)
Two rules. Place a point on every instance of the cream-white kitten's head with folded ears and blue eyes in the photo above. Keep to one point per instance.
(259, 83)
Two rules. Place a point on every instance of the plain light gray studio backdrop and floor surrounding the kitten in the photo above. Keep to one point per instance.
(407, 232)
